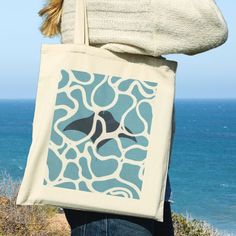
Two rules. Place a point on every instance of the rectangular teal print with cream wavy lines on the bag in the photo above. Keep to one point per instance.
(100, 133)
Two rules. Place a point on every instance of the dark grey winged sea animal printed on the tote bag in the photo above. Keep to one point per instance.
(85, 125)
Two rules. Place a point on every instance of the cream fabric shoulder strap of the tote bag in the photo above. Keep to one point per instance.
(81, 24)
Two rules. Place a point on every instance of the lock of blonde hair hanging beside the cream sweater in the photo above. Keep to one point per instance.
(51, 14)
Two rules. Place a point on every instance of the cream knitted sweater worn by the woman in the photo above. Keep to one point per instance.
(149, 27)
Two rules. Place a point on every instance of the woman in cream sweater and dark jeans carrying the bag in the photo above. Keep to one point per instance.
(151, 28)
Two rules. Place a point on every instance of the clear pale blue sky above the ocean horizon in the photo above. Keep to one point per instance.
(211, 74)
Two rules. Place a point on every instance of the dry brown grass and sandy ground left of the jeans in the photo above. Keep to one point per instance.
(27, 220)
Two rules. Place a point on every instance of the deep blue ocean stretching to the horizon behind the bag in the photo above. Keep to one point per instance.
(203, 162)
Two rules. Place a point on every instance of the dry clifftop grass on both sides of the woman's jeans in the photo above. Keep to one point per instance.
(46, 220)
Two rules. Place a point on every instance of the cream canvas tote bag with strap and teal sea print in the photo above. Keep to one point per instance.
(101, 129)
